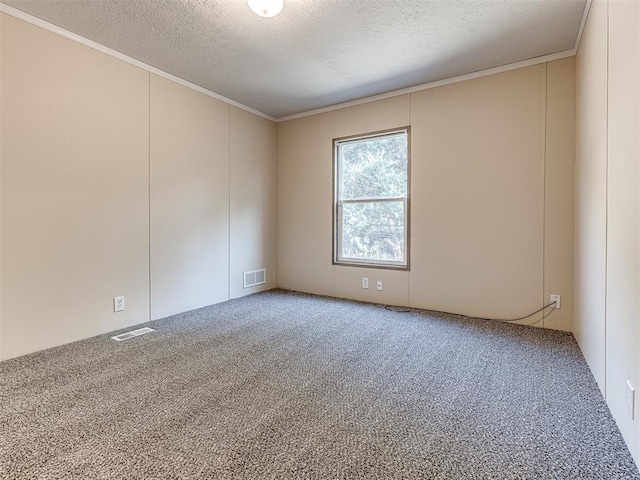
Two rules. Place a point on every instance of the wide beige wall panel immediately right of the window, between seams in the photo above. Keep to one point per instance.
(478, 197)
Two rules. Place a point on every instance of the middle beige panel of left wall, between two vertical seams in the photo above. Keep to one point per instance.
(189, 199)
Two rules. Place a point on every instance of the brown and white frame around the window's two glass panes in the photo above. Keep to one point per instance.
(335, 224)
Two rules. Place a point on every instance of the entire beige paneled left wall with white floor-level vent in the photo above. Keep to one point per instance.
(93, 150)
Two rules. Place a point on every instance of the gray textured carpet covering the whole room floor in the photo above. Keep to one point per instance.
(281, 385)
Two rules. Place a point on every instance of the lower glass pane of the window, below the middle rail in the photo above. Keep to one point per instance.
(373, 231)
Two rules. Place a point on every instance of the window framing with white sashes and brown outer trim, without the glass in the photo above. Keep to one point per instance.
(338, 203)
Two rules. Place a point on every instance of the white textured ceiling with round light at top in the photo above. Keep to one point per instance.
(318, 53)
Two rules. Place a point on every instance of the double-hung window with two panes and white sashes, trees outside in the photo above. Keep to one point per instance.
(371, 200)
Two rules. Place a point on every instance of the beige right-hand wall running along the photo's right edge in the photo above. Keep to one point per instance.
(607, 204)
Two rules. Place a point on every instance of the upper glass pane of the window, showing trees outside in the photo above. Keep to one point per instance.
(374, 167)
